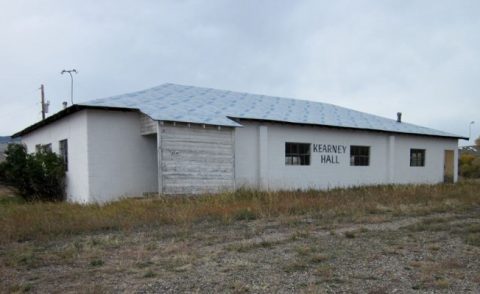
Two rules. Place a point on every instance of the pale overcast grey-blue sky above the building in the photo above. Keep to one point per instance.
(418, 57)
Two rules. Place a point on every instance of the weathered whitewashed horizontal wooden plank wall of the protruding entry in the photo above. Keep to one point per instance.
(196, 159)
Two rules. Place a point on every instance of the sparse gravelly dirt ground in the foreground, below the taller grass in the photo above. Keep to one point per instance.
(433, 253)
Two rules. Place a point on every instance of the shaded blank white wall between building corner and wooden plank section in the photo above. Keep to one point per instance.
(121, 161)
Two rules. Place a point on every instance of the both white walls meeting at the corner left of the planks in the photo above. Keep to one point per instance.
(108, 156)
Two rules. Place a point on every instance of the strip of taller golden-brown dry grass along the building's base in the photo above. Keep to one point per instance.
(42, 221)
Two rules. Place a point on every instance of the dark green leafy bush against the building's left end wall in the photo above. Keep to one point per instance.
(36, 176)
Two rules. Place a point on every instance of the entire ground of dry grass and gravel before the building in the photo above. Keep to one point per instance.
(371, 239)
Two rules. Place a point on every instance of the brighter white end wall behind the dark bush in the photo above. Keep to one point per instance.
(73, 128)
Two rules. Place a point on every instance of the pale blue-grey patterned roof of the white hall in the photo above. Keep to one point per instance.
(172, 102)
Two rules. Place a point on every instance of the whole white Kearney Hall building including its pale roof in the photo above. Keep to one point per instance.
(176, 139)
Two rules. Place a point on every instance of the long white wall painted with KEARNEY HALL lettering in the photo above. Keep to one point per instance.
(385, 150)
